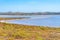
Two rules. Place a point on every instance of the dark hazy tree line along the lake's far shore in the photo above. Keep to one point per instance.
(37, 13)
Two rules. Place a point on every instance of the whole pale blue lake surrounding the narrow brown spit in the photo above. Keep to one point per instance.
(38, 20)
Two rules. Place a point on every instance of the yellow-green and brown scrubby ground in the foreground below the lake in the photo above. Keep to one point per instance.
(26, 32)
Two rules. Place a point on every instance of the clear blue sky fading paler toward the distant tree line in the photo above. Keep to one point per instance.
(30, 5)
